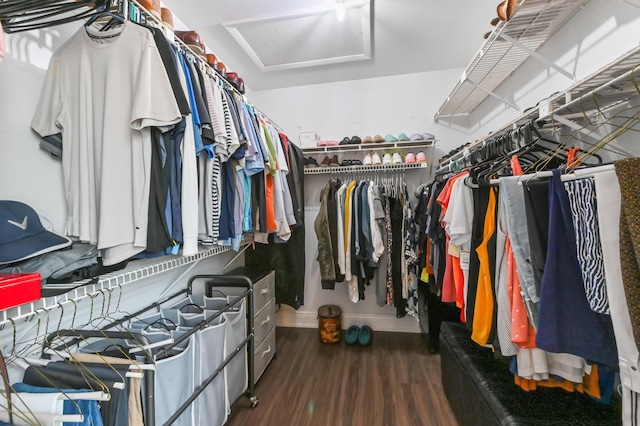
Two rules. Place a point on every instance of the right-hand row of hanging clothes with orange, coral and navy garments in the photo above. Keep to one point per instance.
(538, 289)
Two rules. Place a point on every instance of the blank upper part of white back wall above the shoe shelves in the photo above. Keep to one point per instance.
(403, 103)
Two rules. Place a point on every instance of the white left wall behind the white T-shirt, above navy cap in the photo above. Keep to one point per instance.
(27, 173)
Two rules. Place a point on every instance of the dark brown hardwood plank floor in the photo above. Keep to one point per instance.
(393, 382)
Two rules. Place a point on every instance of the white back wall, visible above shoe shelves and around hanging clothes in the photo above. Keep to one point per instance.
(404, 103)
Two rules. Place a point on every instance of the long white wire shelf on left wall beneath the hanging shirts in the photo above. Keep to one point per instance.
(139, 269)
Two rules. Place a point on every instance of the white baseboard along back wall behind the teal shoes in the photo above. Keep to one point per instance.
(377, 322)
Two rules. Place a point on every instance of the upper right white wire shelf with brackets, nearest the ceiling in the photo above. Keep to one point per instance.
(533, 22)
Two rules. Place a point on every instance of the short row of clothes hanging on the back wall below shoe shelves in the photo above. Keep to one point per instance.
(365, 235)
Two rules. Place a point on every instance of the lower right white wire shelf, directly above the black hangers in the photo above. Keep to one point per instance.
(613, 84)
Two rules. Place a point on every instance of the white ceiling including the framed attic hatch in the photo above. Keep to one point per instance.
(284, 43)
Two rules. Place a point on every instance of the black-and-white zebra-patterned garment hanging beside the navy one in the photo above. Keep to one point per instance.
(582, 198)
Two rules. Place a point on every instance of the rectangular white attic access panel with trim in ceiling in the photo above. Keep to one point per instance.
(308, 38)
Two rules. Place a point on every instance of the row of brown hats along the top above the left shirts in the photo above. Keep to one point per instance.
(192, 39)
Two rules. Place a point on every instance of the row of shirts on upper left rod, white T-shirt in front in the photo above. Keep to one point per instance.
(206, 157)
